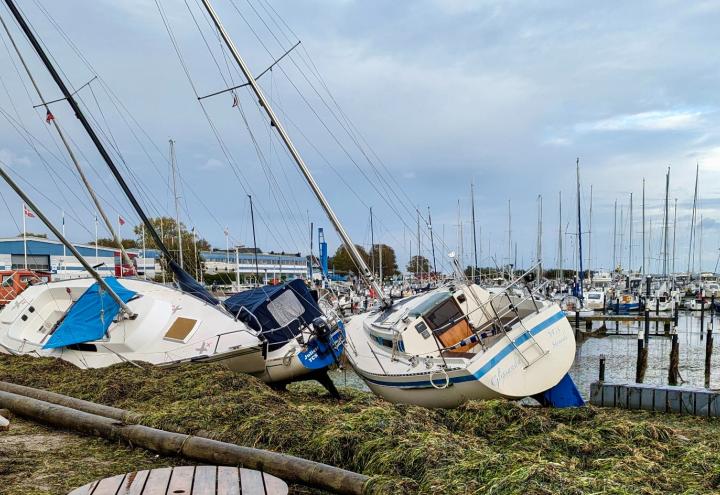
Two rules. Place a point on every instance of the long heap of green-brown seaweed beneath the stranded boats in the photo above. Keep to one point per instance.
(497, 447)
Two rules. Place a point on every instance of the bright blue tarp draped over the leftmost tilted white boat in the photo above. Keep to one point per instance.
(90, 317)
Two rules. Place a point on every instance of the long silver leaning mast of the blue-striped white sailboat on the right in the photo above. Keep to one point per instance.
(275, 122)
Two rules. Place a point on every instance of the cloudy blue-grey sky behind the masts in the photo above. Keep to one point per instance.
(416, 101)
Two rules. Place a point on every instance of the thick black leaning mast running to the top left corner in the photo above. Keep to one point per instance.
(68, 96)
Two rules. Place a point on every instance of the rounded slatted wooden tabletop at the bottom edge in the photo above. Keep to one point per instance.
(188, 480)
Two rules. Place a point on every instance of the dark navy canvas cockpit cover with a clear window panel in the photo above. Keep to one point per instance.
(280, 310)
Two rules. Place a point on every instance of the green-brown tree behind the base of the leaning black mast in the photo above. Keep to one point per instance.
(166, 227)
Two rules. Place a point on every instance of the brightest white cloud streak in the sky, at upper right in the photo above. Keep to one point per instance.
(645, 121)
